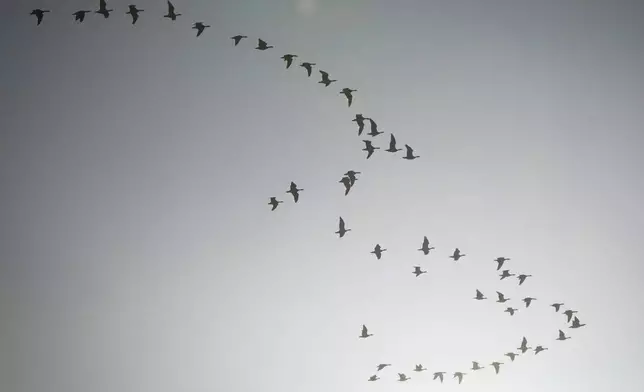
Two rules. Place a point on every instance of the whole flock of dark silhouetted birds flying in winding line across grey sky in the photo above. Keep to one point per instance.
(348, 181)
